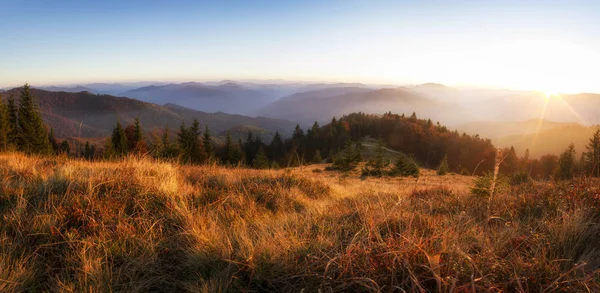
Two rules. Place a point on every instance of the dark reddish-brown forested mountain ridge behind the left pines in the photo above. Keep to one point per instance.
(89, 115)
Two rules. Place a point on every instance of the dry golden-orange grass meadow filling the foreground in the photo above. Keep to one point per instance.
(138, 225)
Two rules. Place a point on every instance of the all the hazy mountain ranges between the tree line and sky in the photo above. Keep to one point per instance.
(510, 117)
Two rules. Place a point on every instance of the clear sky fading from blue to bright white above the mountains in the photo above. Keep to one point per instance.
(536, 45)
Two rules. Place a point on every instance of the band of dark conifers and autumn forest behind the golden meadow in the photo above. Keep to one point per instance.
(428, 144)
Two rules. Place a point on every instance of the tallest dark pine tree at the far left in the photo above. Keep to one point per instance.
(33, 137)
